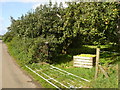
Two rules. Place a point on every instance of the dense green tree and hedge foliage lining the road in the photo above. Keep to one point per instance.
(63, 28)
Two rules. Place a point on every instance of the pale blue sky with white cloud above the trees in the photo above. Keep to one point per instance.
(16, 8)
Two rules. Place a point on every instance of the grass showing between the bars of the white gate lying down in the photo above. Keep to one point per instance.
(65, 79)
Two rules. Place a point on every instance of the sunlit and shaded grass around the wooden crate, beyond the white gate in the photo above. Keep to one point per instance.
(108, 60)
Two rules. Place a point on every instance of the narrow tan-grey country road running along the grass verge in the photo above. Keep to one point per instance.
(11, 75)
